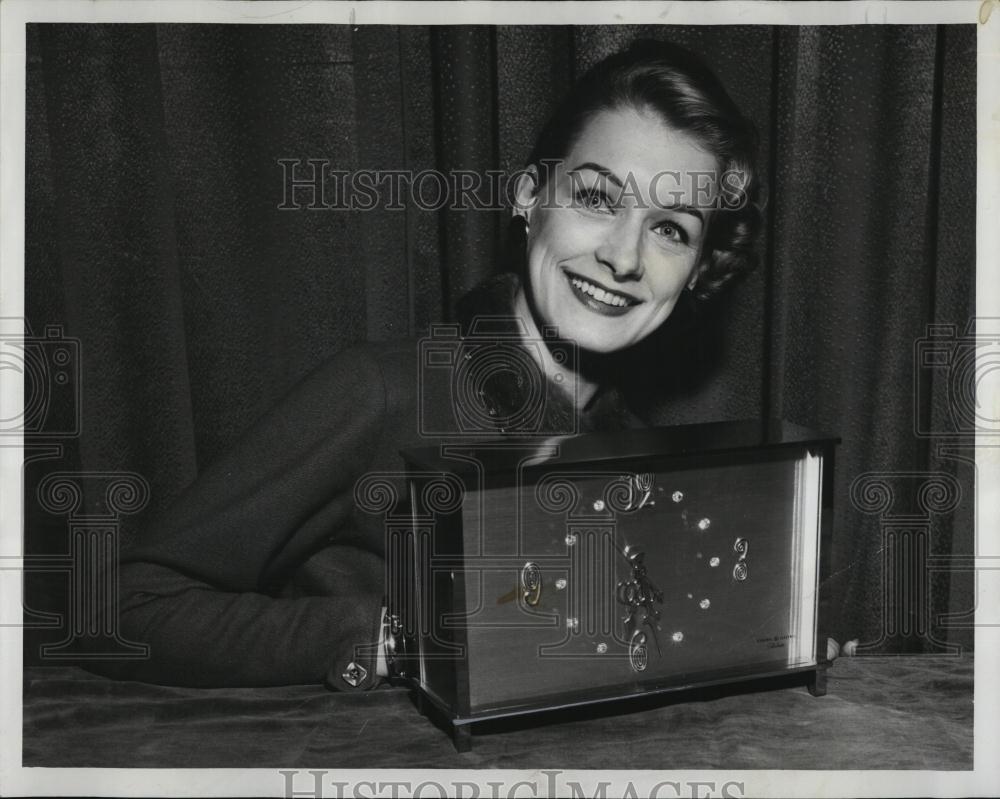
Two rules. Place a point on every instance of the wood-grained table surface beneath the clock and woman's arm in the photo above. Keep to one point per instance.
(903, 712)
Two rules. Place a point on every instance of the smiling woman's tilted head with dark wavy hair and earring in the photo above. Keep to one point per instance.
(610, 244)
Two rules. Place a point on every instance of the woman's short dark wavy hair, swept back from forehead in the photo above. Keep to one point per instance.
(678, 85)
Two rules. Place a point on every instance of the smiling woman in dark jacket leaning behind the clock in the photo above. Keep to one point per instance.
(265, 572)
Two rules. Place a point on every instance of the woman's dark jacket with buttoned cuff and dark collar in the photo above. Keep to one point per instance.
(264, 571)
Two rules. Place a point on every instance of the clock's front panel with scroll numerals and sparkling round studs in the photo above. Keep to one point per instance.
(654, 571)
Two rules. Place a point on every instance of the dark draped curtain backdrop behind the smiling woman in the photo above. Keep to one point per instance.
(154, 237)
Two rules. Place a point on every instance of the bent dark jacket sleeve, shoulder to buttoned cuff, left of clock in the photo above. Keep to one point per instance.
(201, 585)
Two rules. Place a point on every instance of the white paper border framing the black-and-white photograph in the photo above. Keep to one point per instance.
(15, 780)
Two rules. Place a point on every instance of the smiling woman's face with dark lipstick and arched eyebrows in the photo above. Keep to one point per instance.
(615, 236)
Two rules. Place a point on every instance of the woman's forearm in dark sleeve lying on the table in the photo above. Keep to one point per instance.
(202, 636)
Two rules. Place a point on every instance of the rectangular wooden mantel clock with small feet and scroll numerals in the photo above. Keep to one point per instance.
(539, 573)
